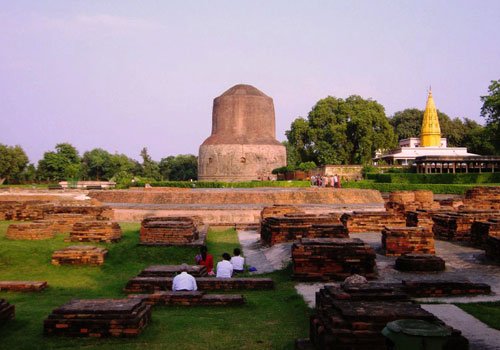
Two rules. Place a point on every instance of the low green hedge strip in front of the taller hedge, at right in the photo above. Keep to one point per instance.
(390, 187)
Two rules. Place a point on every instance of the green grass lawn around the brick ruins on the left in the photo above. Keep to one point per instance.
(269, 320)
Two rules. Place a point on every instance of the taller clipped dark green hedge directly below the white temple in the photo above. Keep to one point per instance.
(413, 178)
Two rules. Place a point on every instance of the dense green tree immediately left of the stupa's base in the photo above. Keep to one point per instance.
(182, 167)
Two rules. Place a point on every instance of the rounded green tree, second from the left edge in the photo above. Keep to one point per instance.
(63, 163)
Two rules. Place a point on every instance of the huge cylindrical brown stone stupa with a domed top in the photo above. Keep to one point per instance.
(243, 143)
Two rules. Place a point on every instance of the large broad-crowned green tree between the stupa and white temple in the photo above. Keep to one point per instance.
(339, 131)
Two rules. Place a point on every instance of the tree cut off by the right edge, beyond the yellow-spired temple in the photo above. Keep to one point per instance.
(491, 111)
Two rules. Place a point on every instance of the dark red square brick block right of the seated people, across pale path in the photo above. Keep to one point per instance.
(325, 259)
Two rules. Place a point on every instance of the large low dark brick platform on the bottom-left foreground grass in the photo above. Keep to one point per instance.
(99, 318)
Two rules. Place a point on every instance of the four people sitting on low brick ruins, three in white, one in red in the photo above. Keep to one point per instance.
(225, 269)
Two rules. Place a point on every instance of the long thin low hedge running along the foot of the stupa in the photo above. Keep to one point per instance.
(207, 184)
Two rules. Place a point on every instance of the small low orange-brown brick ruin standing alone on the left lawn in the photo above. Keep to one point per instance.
(79, 255)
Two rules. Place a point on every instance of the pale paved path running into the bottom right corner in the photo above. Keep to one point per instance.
(480, 336)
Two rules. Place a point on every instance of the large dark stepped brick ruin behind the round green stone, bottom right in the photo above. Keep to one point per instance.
(352, 318)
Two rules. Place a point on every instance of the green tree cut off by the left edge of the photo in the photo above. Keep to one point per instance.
(13, 162)
